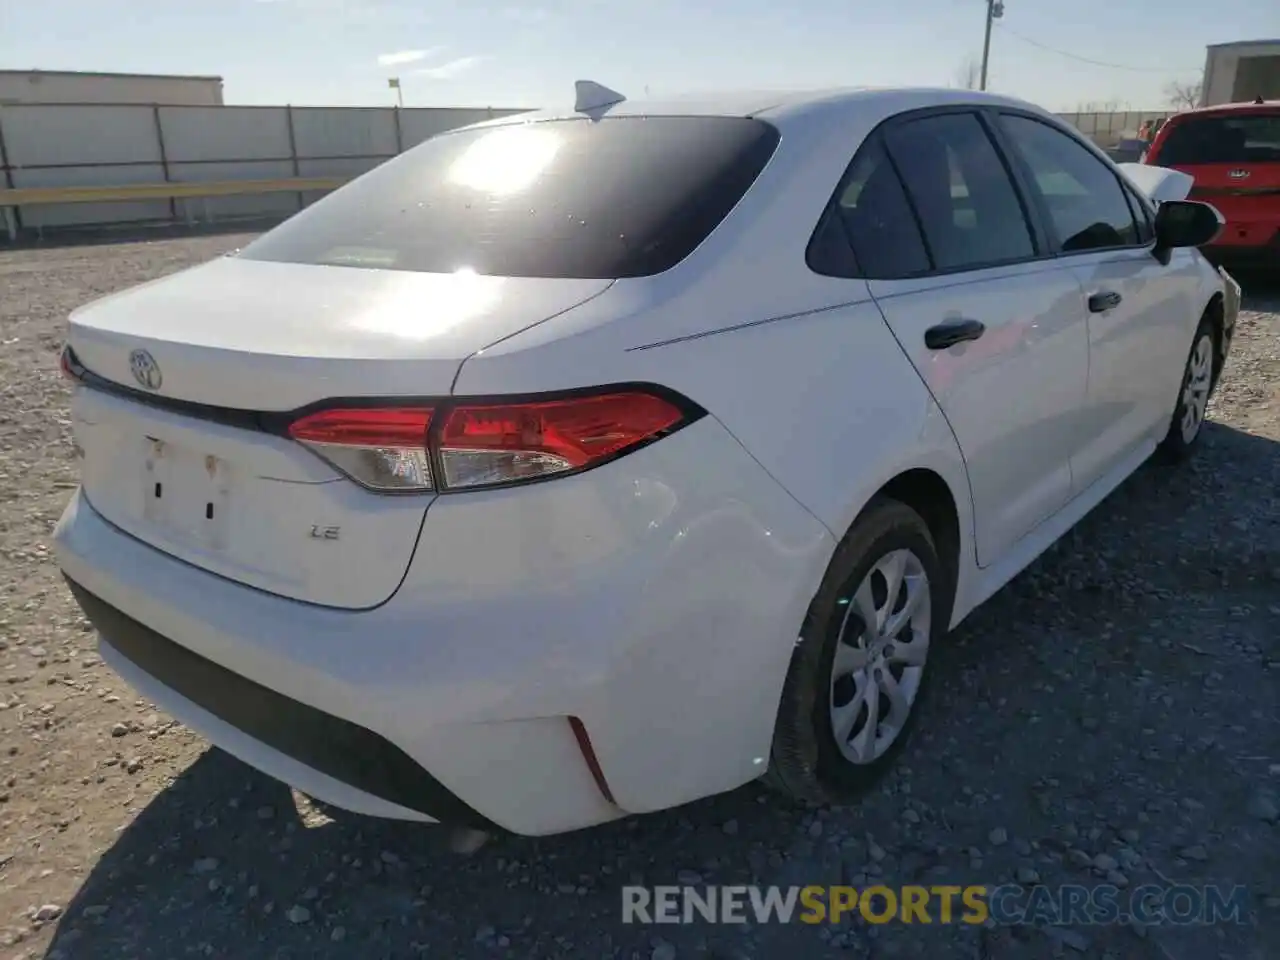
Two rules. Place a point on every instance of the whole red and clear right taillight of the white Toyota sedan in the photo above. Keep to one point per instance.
(463, 446)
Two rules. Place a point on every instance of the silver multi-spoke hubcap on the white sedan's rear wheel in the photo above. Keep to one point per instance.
(880, 656)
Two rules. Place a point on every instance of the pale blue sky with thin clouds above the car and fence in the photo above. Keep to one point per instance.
(528, 53)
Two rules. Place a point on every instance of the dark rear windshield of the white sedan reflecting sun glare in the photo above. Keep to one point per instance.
(572, 199)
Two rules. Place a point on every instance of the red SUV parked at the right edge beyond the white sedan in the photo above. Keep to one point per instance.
(1233, 152)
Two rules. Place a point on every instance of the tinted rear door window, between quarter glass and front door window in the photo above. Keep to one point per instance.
(959, 186)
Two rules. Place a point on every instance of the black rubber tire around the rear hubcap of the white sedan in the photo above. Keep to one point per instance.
(806, 762)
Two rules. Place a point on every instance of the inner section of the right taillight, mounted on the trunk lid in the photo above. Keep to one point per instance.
(381, 449)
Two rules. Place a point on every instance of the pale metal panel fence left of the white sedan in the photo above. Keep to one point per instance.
(99, 145)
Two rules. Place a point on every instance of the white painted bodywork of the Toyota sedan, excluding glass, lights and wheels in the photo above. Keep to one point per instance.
(468, 629)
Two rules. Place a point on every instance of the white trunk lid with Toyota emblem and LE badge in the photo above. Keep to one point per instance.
(181, 446)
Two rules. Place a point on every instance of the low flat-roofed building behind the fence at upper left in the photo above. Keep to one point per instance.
(88, 88)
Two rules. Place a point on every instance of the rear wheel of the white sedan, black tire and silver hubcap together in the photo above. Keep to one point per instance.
(860, 673)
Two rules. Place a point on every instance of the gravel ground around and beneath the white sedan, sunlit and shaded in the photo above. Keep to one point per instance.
(1114, 714)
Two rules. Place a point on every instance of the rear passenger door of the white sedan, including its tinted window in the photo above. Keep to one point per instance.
(996, 332)
